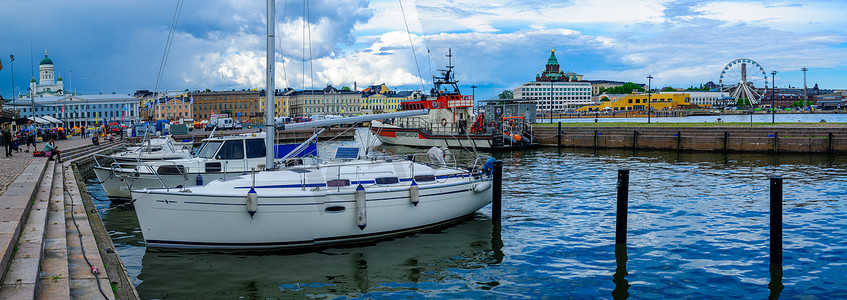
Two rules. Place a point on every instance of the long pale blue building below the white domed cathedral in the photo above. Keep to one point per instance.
(78, 110)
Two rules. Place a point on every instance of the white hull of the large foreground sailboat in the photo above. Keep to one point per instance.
(302, 219)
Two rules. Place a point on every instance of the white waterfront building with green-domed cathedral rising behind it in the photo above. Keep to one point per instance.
(554, 89)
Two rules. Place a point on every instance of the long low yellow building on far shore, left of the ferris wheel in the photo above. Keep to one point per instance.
(640, 102)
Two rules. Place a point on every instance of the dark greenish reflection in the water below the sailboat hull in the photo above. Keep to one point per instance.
(424, 261)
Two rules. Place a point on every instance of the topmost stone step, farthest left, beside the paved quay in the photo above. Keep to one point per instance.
(15, 204)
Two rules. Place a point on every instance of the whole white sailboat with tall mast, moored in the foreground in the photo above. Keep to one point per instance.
(316, 203)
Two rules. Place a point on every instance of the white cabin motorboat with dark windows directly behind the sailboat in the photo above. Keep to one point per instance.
(217, 157)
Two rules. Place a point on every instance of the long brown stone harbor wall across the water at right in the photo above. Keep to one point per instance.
(730, 139)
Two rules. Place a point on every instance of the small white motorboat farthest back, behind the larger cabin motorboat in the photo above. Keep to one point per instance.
(161, 148)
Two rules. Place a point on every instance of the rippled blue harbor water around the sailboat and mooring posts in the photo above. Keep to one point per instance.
(698, 228)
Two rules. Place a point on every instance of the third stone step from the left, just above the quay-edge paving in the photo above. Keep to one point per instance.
(53, 281)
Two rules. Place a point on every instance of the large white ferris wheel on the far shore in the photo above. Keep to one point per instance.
(741, 77)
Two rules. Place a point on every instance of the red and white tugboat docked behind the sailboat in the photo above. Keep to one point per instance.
(450, 112)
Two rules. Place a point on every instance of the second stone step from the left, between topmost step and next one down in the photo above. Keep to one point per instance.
(20, 280)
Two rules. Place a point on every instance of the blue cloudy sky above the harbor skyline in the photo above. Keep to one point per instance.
(117, 46)
